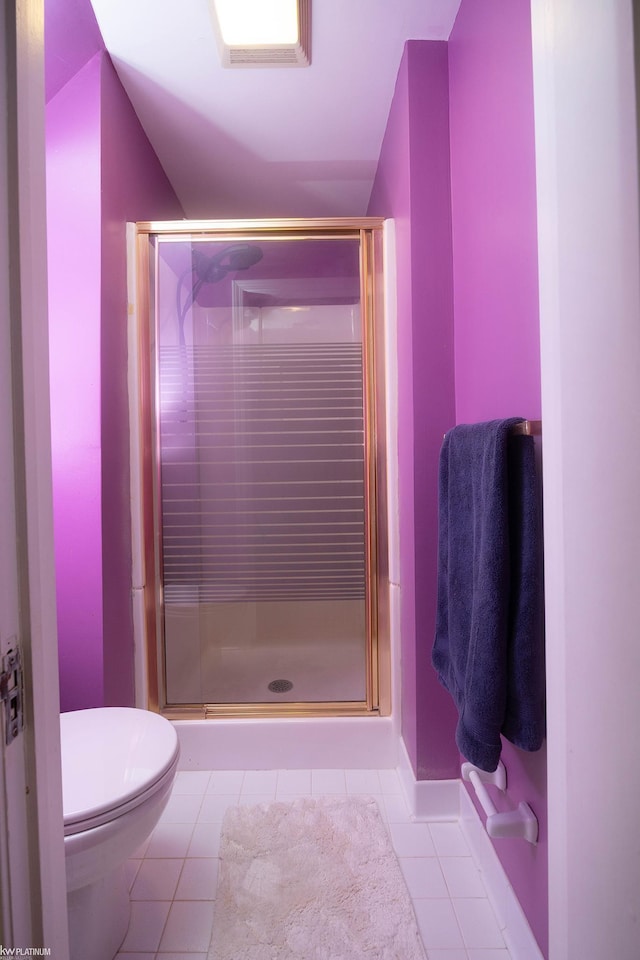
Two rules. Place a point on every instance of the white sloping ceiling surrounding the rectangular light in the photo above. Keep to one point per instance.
(273, 142)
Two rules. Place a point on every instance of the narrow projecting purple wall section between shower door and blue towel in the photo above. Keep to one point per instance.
(412, 185)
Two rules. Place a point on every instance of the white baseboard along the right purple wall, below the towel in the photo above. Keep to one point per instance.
(449, 800)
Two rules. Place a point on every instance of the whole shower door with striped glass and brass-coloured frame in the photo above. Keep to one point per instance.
(263, 503)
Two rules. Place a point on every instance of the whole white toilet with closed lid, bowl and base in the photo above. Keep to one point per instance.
(118, 768)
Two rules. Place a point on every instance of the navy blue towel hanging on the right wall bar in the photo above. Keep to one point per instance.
(488, 648)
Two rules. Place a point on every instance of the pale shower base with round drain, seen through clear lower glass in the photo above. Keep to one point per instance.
(231, 653)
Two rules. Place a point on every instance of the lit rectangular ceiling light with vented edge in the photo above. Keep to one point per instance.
(262, 33)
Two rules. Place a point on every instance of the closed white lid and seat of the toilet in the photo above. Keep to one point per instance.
(111, 757)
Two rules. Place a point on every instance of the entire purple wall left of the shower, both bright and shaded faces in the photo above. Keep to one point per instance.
(101, 172)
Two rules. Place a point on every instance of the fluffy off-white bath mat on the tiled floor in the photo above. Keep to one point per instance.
(315, 879)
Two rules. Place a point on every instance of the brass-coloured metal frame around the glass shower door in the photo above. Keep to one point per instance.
(368, 231)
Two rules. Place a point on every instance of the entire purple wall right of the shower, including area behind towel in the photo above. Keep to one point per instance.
(488, 95)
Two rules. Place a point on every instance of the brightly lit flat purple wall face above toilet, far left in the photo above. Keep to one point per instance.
(73, 219)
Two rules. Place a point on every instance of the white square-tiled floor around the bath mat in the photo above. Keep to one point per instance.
(173, 877)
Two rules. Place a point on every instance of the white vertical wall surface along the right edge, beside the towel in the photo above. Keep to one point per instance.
(590, 316)
